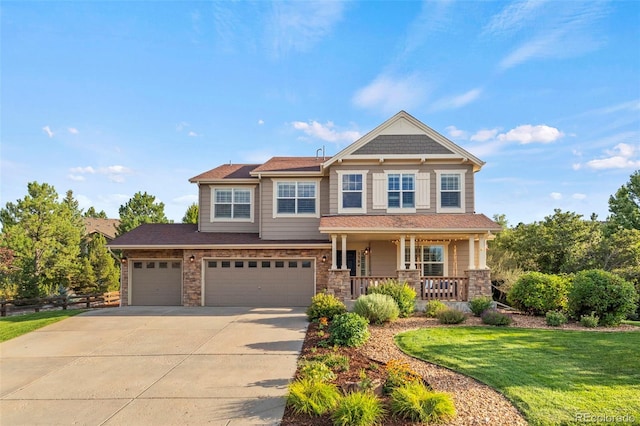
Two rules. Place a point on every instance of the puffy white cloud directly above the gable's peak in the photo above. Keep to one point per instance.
(390, 94)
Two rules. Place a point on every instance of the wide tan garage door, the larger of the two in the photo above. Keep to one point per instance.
(260, 283)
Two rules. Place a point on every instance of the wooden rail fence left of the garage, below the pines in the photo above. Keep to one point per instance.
(109, 299)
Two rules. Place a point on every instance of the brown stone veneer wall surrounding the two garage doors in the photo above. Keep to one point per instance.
(192, 271)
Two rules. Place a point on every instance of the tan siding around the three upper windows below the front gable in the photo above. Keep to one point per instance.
(426, 176)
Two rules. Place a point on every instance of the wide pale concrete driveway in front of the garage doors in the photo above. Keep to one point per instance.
(153, 366)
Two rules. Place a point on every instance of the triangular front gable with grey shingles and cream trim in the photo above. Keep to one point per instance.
(403, 136)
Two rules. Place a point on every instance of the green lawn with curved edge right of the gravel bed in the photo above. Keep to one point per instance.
(551, 376)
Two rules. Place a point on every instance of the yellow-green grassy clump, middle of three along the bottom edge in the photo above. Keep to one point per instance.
(358, 409)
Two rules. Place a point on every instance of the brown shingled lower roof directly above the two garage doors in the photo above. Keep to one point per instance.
(181, 236)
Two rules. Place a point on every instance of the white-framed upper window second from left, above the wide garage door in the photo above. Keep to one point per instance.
(299, 198)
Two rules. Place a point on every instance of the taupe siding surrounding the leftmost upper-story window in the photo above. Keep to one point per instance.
(206, 225)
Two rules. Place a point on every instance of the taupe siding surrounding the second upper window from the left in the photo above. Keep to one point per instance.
(291, 227)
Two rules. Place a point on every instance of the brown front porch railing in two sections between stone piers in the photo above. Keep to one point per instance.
(431, 288)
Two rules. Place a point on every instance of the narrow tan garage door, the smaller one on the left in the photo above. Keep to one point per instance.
(156, 283)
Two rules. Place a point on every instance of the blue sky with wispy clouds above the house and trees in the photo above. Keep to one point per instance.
(111, 98)
